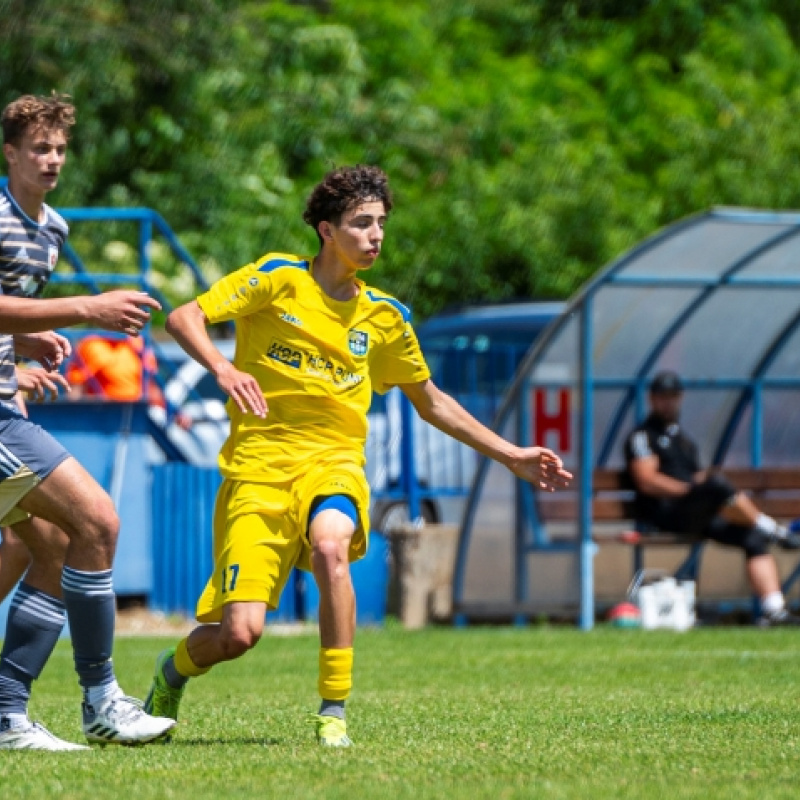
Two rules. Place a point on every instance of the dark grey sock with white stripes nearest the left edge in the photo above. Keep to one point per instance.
(35, 622)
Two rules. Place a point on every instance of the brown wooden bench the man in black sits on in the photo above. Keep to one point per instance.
(775, 490)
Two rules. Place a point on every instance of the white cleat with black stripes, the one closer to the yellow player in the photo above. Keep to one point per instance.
(122, 720)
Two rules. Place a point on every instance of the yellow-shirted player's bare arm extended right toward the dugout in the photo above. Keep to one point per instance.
(538, 465)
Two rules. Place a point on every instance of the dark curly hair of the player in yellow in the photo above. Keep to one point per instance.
(342, 189)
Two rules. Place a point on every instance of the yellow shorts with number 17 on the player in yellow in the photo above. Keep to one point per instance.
(261, 534)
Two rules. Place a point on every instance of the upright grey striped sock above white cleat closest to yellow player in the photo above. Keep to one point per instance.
(91, 608)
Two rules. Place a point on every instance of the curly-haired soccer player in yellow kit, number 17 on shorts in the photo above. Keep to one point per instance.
(312, 343)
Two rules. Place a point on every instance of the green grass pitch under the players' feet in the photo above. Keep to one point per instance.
(476, 713)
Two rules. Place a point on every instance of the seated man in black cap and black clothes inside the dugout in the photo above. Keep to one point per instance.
(674, 494)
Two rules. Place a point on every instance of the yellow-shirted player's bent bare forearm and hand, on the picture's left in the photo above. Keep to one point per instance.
(187, 325)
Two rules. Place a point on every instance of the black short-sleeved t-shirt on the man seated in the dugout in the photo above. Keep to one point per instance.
(677, 457)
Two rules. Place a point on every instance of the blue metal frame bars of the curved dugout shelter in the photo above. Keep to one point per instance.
(751, 388)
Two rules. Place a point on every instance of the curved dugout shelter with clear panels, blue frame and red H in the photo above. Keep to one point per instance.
(715, 297)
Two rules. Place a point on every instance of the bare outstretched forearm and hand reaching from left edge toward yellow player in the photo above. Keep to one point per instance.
(123, 310)
